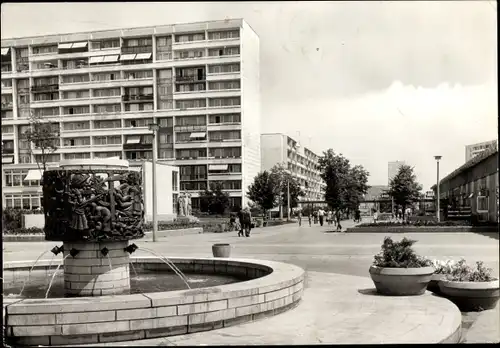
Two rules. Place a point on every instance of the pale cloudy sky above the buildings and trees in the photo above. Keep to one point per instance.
(375, 81)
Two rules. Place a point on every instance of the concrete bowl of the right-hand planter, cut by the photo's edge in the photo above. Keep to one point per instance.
(471, 296)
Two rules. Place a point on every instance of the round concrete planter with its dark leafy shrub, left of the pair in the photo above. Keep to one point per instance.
(398, 271)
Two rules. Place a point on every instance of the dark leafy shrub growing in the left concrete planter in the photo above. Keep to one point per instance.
(399, 255)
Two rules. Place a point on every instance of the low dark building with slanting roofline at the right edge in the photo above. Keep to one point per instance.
(474, 185)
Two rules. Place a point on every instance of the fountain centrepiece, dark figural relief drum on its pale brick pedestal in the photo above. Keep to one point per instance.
(94, 207)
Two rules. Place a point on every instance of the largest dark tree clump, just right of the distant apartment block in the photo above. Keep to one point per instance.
(345, 185)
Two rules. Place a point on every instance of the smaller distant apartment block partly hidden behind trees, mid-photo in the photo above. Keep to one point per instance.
(300, 161)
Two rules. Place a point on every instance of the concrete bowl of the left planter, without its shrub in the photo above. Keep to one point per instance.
(401, 281)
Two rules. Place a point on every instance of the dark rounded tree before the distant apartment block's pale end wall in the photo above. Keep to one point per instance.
(263, 191)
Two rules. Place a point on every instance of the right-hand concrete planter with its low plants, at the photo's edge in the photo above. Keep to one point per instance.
(471, 288)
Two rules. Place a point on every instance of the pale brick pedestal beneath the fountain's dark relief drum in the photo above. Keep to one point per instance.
(91, 273)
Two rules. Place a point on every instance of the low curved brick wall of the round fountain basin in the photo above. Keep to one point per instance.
(273, 288)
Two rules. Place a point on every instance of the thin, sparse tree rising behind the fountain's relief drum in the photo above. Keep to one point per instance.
(44, 136)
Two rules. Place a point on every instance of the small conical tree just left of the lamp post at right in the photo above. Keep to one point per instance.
(404, 188)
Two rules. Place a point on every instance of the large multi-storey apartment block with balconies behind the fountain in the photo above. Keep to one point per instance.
(199, 82)
